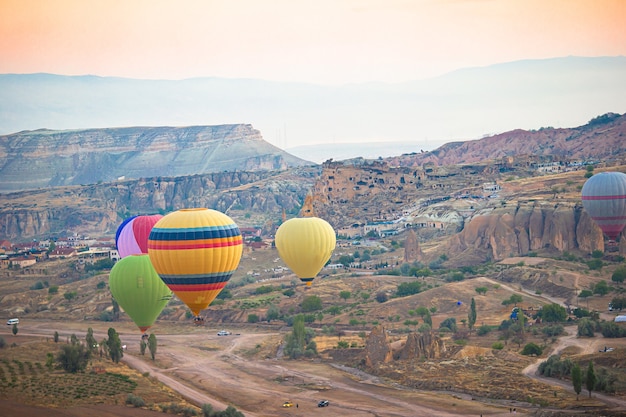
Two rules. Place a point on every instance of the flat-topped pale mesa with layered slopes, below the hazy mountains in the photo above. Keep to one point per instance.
(50, 158)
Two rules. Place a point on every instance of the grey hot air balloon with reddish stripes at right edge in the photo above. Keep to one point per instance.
(604, 199)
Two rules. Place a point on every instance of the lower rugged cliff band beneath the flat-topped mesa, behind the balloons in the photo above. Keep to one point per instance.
(252, 198)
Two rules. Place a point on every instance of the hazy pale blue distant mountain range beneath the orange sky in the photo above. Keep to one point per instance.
(461, 105)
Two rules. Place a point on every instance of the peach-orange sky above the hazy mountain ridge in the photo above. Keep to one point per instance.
(319, 41)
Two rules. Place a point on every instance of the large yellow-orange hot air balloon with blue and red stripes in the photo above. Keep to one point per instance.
(195, 252)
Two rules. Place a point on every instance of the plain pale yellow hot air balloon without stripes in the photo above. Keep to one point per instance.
(305, 245)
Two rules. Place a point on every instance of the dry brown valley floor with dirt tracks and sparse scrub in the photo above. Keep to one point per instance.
(247, 371)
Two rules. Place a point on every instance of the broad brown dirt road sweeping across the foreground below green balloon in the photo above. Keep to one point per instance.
(206, 368)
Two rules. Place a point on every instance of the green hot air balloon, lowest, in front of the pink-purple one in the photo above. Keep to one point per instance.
(138, 289)
